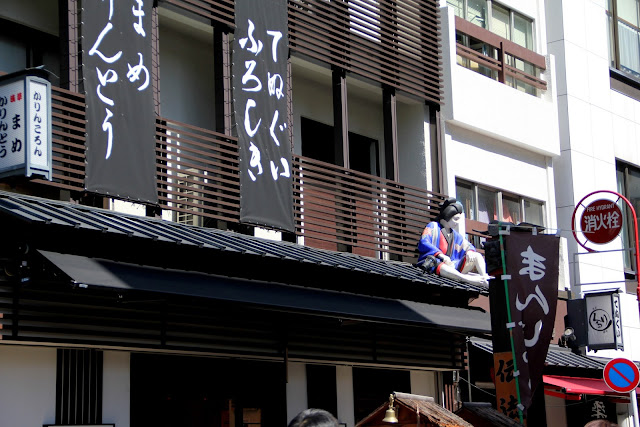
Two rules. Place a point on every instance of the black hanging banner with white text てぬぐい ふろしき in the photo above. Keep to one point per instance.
(260, 53)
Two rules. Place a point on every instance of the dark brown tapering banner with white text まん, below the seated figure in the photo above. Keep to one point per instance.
(532, 264)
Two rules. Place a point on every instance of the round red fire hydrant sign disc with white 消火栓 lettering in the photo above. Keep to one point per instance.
(601, 221)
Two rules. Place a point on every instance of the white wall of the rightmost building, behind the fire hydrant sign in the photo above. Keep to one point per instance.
(598, 125)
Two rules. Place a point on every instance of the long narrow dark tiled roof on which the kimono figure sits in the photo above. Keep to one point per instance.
(65, 214)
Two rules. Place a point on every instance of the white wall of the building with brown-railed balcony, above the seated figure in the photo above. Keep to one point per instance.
(496, 135)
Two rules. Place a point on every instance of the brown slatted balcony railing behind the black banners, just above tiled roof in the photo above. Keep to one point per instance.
(197, 177)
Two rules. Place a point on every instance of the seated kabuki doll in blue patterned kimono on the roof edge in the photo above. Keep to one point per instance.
(446, 252)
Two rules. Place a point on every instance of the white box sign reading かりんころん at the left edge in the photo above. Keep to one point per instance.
(25, 126)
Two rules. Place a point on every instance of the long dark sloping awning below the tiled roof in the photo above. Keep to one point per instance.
(88, 272)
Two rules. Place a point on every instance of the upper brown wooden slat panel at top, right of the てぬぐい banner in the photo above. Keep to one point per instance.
(396, 43)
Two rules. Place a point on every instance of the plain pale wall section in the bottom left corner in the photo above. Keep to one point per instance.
(27, 385)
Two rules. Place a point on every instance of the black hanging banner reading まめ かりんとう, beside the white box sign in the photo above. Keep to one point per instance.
(120, 146)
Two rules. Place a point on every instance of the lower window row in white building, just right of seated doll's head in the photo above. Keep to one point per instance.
(486, 204)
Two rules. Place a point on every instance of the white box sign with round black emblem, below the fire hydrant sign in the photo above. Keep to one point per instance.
(604, 324)
